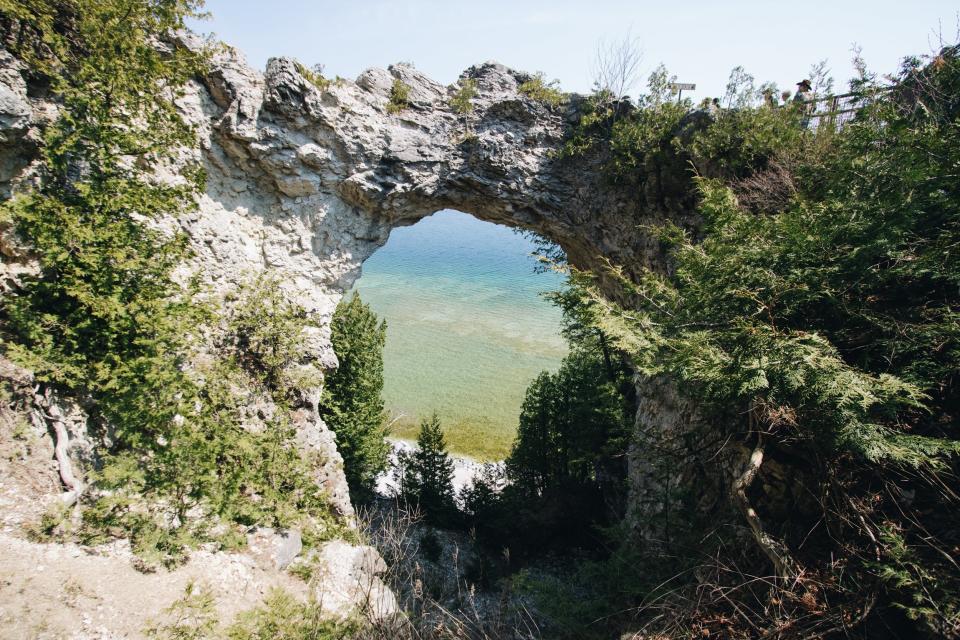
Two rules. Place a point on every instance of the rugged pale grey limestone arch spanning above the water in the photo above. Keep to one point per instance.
(306, 182)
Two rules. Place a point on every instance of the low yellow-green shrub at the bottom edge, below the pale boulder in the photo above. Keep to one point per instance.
(283, 616)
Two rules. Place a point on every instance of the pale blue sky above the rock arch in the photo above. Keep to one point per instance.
(699, 41)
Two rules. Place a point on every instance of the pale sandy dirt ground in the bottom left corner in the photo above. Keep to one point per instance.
(65, 591)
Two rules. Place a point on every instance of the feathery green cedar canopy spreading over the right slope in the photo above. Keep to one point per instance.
(827, 321)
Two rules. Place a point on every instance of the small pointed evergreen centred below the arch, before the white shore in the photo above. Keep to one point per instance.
(428, 474)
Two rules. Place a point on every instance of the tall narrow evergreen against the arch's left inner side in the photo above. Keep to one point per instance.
(352, 403)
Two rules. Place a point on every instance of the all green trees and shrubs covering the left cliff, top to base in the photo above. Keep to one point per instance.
(105, 321)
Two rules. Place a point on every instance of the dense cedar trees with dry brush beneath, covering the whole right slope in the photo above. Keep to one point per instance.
(815, 321)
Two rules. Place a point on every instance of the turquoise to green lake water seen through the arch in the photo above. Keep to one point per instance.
(467, 328)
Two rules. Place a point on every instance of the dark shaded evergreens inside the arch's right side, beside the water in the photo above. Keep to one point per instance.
(564, 474)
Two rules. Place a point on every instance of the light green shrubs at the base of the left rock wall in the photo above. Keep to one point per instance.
(208, 462)
